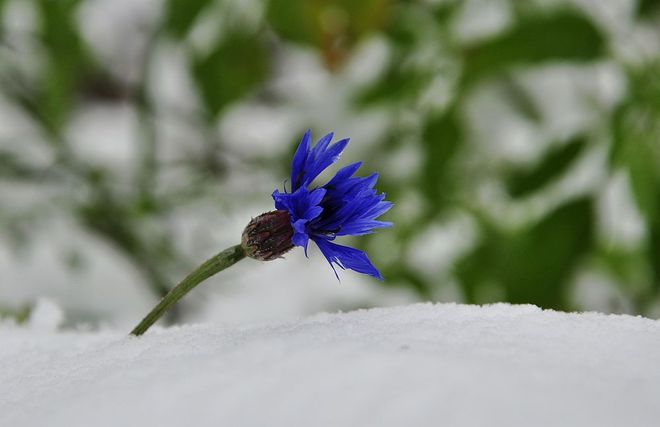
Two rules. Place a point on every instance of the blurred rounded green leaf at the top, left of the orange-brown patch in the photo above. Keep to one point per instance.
(236, 66)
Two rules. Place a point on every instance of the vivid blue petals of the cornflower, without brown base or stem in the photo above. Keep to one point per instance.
(345, 206)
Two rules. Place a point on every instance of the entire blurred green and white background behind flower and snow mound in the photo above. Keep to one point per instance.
(519, 140)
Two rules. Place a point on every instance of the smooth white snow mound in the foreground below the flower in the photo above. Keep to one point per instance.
(422, 364)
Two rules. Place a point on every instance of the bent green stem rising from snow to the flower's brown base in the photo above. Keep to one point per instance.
(214, 265)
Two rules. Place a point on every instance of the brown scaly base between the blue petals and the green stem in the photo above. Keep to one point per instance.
(268, 236)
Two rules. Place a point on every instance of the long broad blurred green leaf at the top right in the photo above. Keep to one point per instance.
(564, 35)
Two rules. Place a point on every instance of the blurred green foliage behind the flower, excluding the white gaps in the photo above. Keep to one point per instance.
(536, 260)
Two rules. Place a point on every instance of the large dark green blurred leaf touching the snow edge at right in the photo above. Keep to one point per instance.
(532, 265)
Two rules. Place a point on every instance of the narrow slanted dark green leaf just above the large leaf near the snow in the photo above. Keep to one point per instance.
(523, 181)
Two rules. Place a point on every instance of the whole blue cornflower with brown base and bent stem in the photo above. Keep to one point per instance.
(346, 206)
